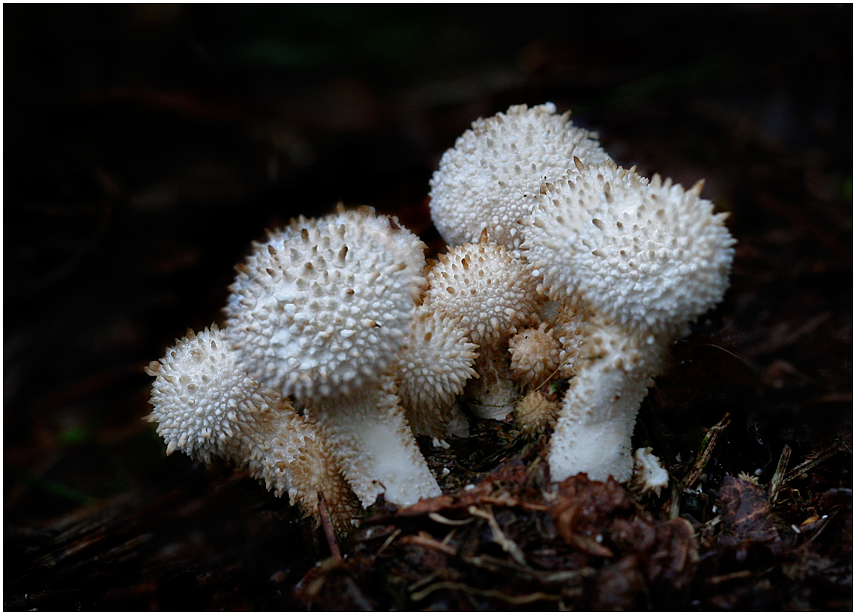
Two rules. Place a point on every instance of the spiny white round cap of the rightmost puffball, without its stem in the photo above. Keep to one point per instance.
(653, 256)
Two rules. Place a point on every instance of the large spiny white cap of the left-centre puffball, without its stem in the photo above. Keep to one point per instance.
(322, 307)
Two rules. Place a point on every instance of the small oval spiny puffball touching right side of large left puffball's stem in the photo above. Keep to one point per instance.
(435, 364)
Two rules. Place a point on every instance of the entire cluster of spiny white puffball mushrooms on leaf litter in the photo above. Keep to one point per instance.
(341, 342)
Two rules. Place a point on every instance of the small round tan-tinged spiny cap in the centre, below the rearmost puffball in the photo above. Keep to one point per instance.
(481, 284)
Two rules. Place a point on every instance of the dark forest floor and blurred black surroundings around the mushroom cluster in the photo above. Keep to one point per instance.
(147, 146)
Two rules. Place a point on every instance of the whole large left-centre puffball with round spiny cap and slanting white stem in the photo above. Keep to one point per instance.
(320, 312)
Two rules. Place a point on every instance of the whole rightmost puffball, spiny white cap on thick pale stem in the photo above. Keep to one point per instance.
(643, 259)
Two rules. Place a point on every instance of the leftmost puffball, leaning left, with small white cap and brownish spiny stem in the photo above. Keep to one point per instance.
(207, 406)
